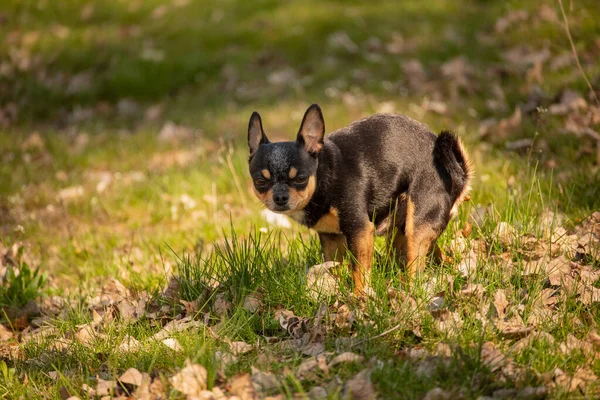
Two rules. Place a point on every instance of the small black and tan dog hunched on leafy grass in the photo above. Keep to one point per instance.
(385, 173)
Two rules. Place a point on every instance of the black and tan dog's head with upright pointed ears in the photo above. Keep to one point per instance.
(284, 173)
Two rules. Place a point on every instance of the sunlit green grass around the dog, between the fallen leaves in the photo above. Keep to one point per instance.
(94, 192)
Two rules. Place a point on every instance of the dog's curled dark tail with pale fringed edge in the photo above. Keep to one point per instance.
(449, 152)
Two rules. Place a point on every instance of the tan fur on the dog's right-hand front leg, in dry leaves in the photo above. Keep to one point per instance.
(361, 246)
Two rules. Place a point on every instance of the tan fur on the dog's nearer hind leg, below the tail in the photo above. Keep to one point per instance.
(419, 241)
